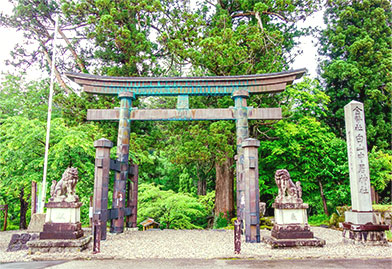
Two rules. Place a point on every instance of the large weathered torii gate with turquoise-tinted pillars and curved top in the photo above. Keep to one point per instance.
(239, 87)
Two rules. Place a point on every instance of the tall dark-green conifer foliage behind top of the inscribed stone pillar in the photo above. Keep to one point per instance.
(357, 45)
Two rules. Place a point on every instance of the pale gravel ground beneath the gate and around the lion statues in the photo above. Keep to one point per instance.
(202, 244)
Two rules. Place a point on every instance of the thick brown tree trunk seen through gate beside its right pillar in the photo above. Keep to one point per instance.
(224, 202)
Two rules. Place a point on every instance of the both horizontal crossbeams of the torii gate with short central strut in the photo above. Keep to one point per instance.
(184, 87)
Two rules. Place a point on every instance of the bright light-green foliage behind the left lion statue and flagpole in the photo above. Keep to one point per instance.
(22, 156)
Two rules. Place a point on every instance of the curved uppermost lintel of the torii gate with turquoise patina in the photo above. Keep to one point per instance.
(173, 86)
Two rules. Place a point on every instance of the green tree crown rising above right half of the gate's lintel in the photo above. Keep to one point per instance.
(235, 37)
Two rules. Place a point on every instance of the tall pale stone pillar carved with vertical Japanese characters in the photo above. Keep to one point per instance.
(359, 225)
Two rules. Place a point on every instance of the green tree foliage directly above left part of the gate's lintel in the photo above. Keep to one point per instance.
(120, 31)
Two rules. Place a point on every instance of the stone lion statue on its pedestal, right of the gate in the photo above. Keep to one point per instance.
(291, 226)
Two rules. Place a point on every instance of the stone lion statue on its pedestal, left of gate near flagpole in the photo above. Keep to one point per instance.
(62, 231)
